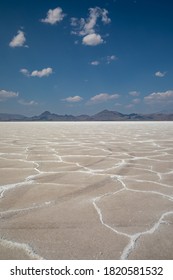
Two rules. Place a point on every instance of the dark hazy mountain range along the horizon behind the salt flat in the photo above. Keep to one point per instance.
(104, 115)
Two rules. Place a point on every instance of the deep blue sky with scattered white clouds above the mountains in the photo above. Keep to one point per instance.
(83, 56)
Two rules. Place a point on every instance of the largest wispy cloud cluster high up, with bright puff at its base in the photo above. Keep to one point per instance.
(87, 27)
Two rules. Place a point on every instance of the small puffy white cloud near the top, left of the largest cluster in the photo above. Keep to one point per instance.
(54, 16)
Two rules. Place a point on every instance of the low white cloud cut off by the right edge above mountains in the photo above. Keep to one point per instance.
(160, 97)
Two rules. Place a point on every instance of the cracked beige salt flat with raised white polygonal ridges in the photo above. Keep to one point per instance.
(99, 190)
